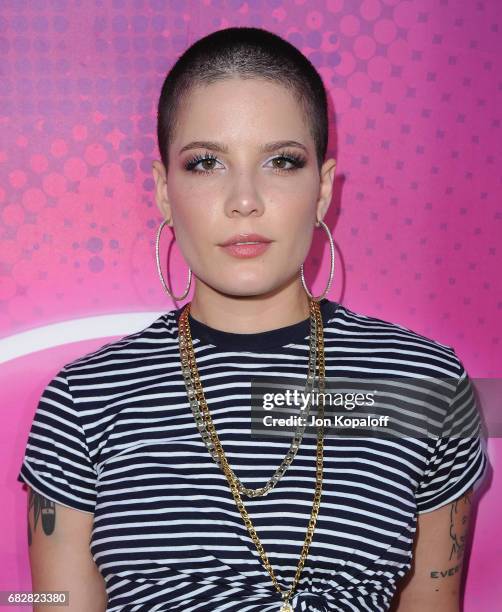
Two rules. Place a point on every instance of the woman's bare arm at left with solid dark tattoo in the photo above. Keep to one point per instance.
(60, 557)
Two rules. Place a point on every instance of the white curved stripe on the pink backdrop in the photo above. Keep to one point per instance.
(75, 330)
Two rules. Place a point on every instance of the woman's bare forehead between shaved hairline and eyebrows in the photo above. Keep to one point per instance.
(241, 109)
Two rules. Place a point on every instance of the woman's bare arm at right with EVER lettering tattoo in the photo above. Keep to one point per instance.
(434, 580)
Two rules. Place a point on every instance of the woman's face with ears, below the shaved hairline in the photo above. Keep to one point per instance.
(211, 194)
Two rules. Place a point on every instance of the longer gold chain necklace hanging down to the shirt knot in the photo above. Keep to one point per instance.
(188, 361)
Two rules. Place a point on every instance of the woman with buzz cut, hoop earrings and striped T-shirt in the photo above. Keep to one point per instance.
(152, 492)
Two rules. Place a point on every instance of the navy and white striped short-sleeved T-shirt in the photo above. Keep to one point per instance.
(113, 435)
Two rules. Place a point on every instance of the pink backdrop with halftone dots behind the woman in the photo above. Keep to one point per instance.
(415, 102)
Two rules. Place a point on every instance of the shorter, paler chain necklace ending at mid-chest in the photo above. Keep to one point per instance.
(185, 341)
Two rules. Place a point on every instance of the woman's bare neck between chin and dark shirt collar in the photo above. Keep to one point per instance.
(249, 314)
